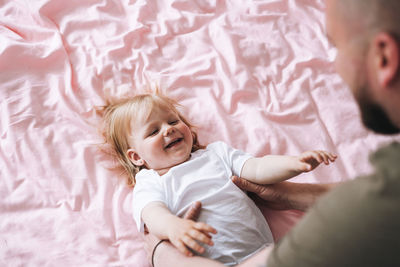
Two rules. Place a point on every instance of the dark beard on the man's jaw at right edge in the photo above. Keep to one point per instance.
(373, 116)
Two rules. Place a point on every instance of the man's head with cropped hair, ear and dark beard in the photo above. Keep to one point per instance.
(366, 34)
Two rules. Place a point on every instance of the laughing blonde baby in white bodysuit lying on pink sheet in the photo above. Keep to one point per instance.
(170, 170)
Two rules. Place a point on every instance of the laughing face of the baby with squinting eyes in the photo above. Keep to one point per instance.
(162, 140)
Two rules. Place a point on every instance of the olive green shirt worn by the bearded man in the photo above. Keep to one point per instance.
(356, 224)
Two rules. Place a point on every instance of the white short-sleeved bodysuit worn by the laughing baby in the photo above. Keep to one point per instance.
(205, 177)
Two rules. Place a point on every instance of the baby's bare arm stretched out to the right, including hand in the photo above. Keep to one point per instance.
(272, 169)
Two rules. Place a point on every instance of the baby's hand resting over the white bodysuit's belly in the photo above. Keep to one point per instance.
(185, 233)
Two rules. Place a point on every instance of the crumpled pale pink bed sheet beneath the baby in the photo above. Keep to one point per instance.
(255, 74)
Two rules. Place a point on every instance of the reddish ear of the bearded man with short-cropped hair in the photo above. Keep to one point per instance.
(387, 58)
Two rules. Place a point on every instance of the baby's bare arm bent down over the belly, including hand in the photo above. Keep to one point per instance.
(182, 233)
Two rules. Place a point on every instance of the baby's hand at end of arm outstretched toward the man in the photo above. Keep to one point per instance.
(309, 160)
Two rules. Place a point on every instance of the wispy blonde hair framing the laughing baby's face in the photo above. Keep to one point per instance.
(117, 118)
